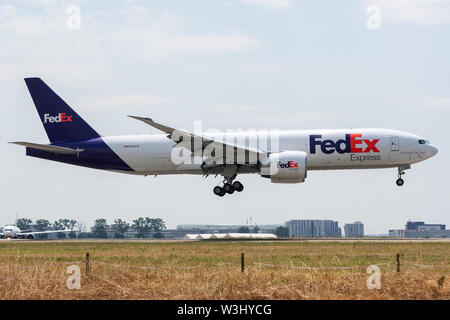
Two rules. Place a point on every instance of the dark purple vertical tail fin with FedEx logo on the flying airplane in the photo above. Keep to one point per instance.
(60, 121)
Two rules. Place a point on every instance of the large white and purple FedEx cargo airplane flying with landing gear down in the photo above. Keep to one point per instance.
(281, 156)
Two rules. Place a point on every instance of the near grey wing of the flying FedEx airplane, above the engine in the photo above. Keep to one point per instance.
(198, 140)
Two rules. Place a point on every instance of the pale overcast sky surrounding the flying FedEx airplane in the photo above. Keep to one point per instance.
(232, 64)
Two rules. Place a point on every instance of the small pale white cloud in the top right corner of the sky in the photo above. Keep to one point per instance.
(422, 12)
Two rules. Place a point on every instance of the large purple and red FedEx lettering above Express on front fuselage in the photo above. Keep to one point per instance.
(351, 144)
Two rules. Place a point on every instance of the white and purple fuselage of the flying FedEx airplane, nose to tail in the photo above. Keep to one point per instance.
(326, 149)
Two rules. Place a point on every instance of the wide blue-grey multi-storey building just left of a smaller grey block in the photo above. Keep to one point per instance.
(313, 228)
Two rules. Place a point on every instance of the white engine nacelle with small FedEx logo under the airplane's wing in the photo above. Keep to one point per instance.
(285, 167)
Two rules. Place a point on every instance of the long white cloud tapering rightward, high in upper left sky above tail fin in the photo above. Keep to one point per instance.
(140, 36)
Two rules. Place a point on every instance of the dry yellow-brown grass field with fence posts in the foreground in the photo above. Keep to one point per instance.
(212, 270)
